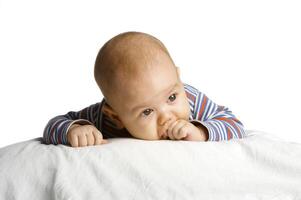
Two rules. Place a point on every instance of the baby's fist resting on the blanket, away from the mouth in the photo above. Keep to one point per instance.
(84, 135)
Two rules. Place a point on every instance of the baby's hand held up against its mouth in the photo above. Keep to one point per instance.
(184, 130)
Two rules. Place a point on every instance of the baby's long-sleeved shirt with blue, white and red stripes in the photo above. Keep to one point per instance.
(219, 120)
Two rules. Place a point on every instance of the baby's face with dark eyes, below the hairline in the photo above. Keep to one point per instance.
(151, 99)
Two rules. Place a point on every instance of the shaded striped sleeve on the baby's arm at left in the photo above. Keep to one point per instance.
(56, 129)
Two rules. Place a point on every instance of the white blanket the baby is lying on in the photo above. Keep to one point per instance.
(257, 167)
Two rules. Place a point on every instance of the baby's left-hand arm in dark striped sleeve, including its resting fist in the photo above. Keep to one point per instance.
(57, 128)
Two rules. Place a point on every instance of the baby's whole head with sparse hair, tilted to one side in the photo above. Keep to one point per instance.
(141, 85)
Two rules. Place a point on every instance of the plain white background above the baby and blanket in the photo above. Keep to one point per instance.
(242, 54)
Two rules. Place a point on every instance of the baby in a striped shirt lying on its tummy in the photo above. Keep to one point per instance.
(144, 98)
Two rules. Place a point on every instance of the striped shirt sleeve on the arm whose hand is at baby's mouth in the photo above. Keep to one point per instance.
(219, 120)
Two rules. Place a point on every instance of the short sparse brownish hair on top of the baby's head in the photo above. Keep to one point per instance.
(122, 55)
